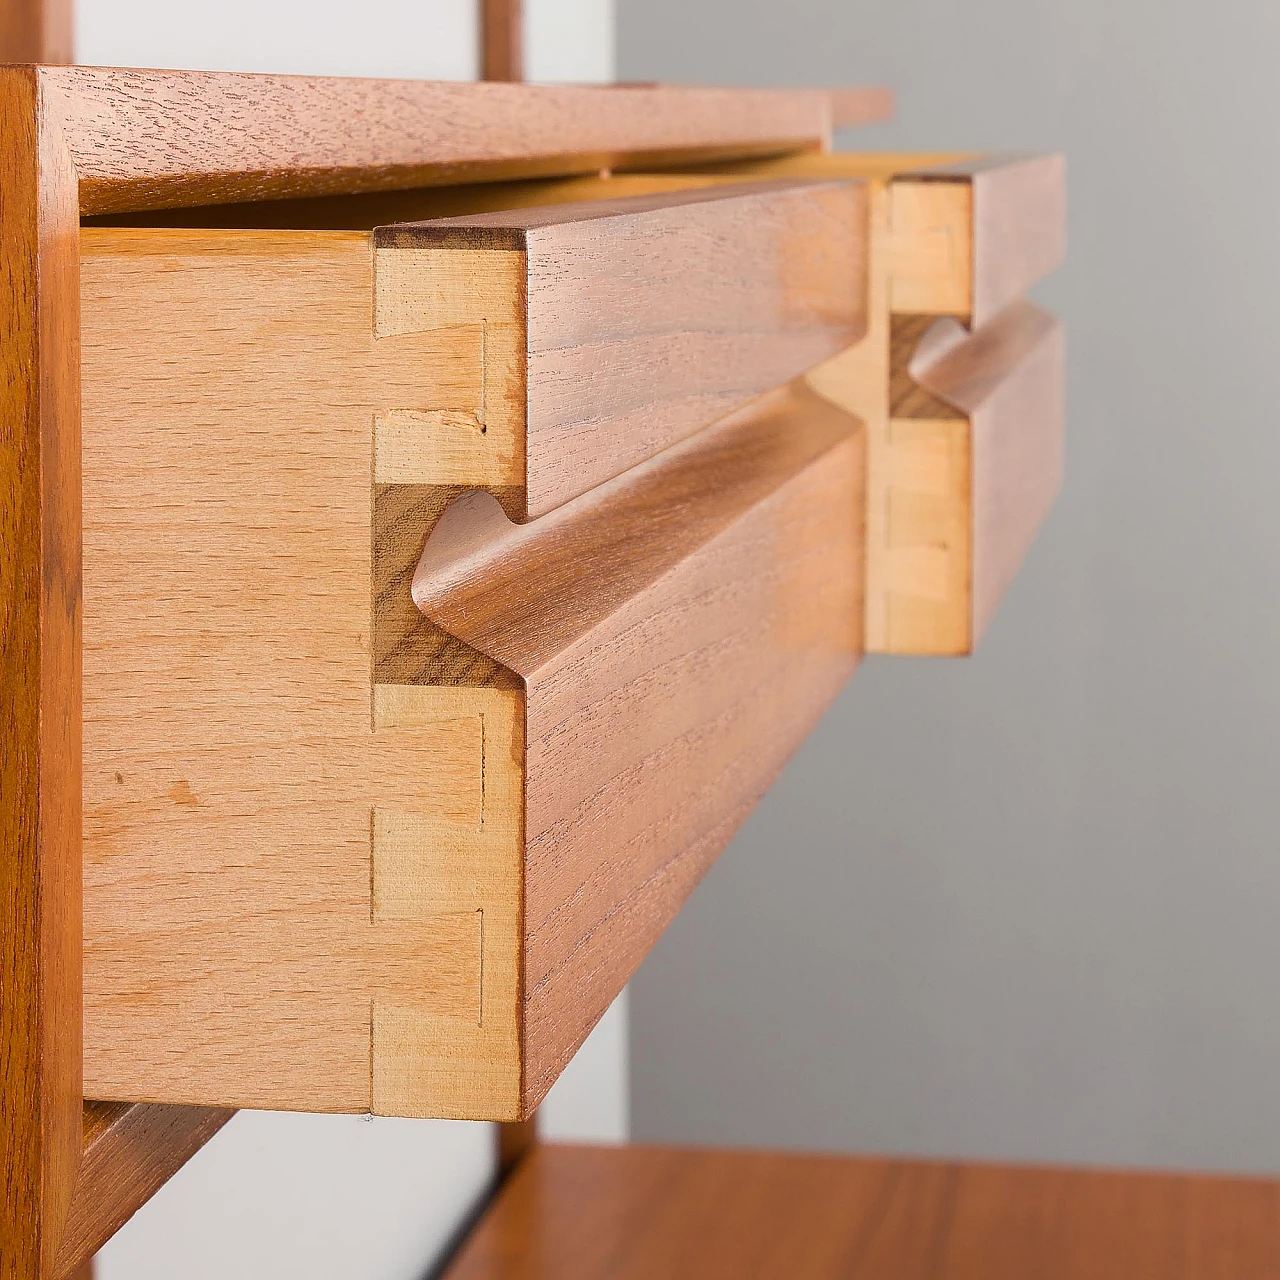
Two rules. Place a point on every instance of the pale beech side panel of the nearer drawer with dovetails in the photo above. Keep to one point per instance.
(236, 778)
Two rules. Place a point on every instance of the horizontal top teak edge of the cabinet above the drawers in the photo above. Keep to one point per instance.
(154, 140)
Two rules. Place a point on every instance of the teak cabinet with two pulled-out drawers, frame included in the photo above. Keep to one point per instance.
(280, 403)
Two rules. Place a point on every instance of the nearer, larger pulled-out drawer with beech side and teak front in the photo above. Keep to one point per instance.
(345, 852)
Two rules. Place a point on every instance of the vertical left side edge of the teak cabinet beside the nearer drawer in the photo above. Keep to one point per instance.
(40, 673)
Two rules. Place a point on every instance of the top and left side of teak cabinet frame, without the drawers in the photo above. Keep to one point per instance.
(90, 140)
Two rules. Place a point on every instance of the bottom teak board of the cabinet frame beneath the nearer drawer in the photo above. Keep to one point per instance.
(130, 1153)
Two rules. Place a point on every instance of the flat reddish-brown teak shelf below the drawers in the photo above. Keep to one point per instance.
(636, 1213)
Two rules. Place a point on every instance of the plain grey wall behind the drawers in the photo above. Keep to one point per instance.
(1028, 906)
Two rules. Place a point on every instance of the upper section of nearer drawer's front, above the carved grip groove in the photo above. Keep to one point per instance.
(612, 330)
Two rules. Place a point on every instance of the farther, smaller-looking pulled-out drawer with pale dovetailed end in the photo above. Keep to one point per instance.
(954, 496)
